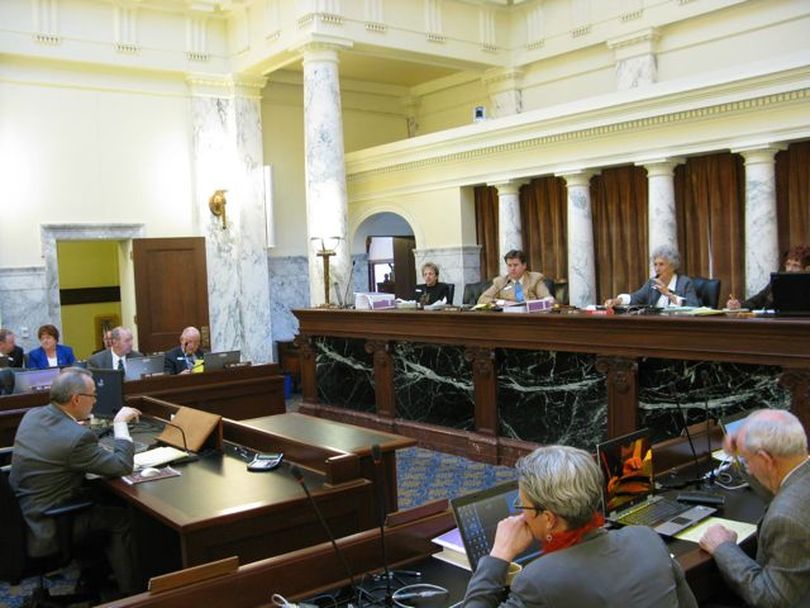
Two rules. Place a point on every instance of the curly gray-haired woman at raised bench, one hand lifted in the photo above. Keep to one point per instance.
(666, 288)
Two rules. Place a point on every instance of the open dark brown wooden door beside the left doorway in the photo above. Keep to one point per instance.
(171, 291)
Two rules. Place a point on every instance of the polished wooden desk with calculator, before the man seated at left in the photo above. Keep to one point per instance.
(217, 508)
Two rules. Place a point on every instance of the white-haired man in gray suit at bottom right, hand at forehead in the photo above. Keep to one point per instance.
(772, 445)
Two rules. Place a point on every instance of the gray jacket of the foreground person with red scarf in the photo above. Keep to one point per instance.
(621, 568)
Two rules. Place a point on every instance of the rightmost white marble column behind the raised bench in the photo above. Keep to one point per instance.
(761, 231)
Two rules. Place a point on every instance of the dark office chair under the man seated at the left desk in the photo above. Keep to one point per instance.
(16, 564)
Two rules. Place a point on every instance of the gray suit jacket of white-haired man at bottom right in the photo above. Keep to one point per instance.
(780, 575)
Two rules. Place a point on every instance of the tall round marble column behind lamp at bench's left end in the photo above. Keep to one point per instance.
(327, 203)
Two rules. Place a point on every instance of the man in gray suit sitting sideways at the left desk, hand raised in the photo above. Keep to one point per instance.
(53, 450)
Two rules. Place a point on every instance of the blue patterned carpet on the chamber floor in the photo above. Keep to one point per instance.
(423, 475)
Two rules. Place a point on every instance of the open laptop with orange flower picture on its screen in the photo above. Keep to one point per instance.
(628, 496)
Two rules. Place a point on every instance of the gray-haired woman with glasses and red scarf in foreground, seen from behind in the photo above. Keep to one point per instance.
(582, 564)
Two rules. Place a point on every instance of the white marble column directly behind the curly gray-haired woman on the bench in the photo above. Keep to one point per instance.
(662, 222)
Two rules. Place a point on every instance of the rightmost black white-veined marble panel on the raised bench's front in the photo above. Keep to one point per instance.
(728, 388)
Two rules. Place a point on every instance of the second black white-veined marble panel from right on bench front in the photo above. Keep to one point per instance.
(551, 397)
